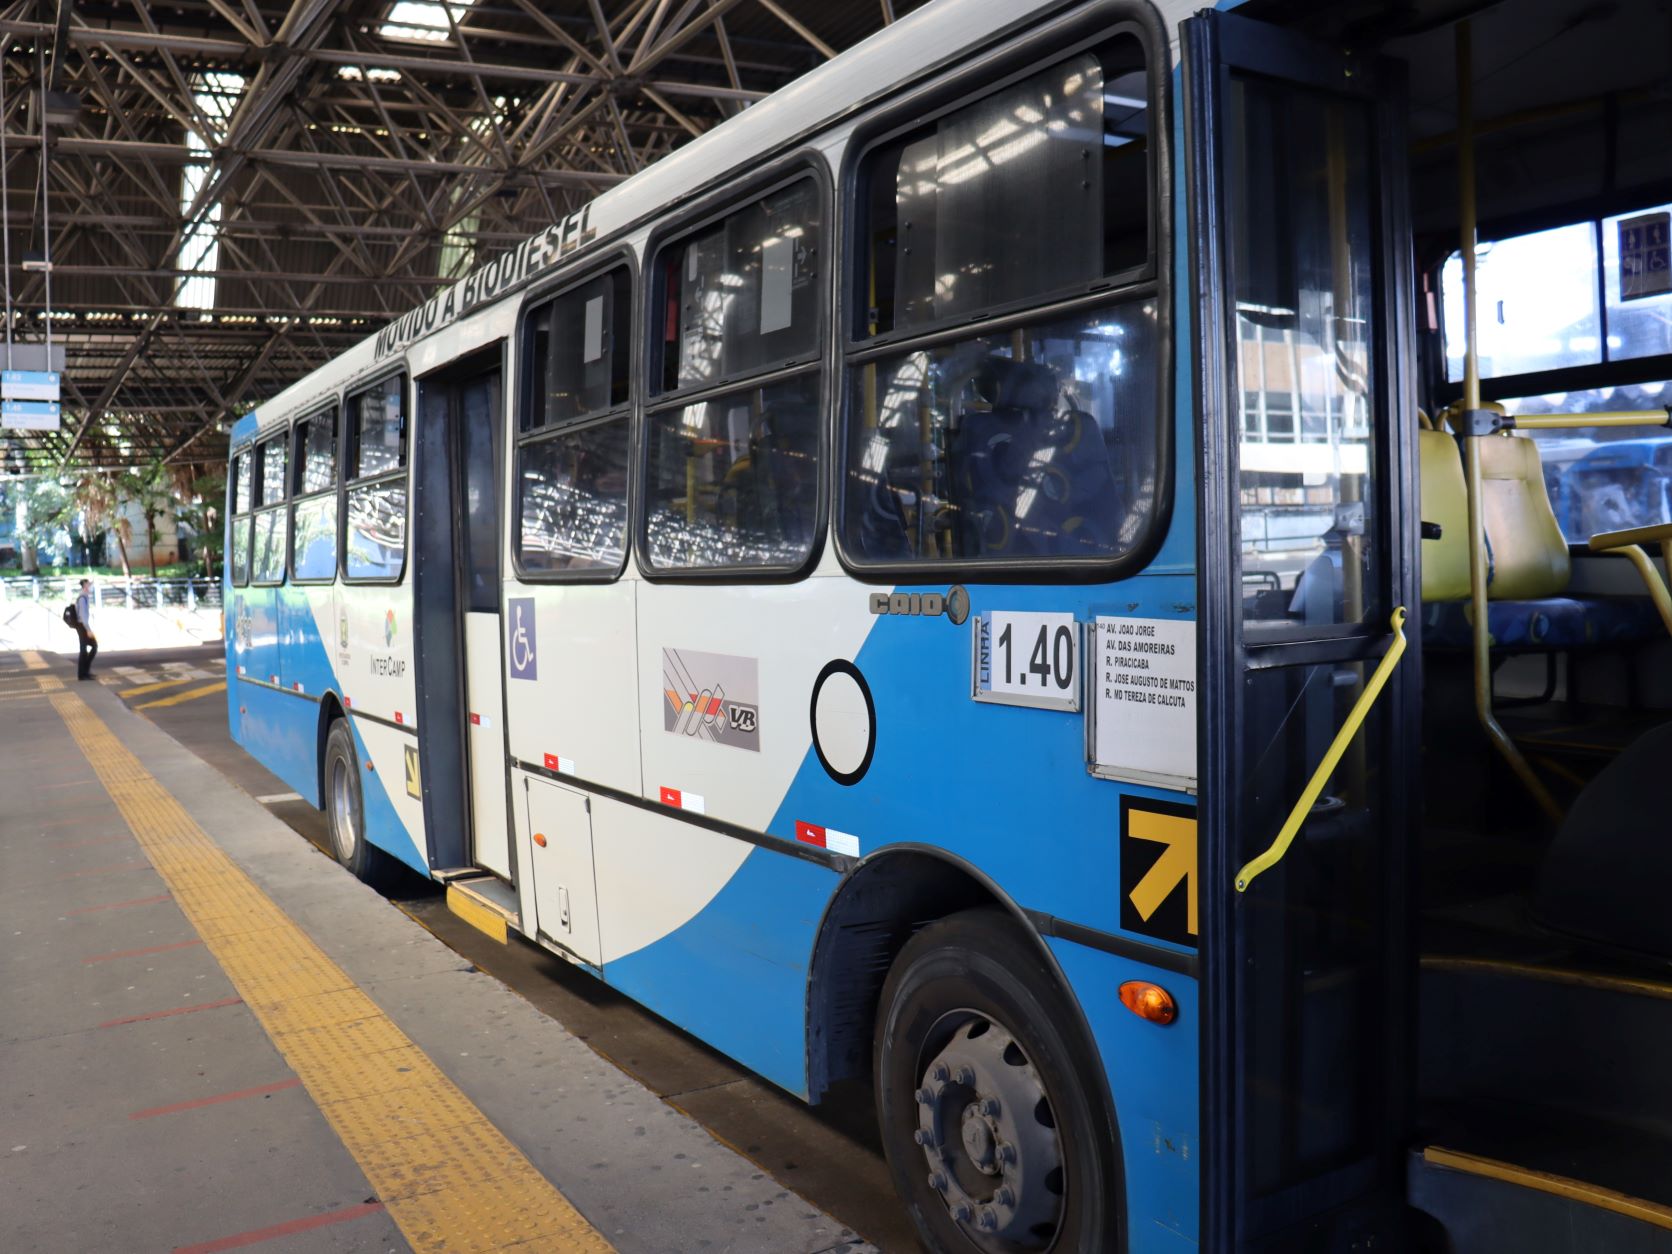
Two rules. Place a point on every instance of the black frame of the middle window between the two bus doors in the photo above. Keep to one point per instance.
(731, 198)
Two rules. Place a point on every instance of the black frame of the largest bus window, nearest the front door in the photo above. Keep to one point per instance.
(1153, 280)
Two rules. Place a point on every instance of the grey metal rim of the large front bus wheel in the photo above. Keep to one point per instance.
(989, 1136)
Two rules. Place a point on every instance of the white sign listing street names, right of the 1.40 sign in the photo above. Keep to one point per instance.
(1144, 701)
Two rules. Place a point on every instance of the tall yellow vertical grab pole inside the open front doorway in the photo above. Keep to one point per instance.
(1481, 633)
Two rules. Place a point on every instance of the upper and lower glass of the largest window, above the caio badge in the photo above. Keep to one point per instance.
(1036, 439)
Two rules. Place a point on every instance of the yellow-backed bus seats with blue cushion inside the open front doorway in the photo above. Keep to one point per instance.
(1527, 558)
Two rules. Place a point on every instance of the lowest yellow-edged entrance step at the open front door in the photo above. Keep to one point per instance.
(1491, 1206)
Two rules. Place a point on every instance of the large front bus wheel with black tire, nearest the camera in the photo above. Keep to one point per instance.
(972, 1026)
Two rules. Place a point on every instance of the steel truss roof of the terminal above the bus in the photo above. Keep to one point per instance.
(240, 190)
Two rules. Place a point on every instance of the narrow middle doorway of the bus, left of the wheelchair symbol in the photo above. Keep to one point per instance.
(462, 715)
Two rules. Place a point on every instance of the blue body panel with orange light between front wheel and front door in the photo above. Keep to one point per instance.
(1153, 1079)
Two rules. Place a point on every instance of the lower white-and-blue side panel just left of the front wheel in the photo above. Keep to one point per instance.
(735, 974)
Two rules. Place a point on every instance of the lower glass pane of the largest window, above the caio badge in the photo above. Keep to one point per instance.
(1024, 444)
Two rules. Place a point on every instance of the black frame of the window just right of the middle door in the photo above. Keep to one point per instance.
(628, 410)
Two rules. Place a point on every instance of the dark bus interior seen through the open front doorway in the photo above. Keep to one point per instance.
(1546, 942)
